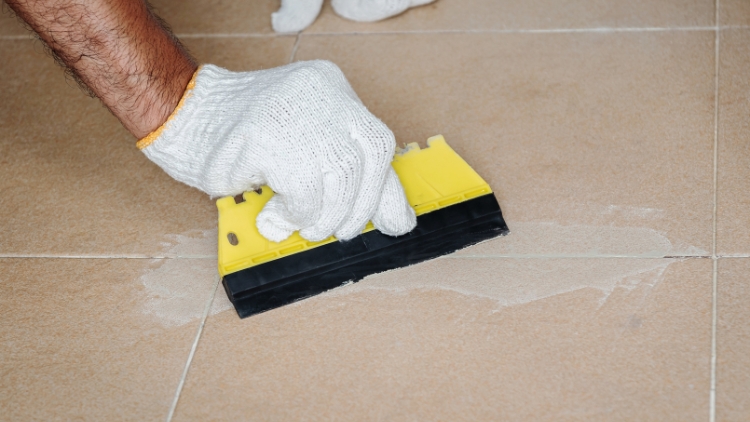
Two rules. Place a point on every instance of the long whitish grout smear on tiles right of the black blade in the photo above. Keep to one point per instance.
(512, 280)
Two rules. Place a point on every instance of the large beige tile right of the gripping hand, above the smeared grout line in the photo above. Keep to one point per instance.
(605, 137)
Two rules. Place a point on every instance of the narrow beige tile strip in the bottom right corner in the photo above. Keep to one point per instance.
(733, 341)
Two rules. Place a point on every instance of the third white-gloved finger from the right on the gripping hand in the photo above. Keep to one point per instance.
(340, 185)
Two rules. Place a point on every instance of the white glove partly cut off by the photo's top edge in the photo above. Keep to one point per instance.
(296, 15)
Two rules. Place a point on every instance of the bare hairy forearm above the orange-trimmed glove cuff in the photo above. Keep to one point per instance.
(118, 49)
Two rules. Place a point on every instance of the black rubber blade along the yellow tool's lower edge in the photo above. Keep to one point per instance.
(307, 273)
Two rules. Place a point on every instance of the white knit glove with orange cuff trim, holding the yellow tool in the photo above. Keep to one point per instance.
(301, 130)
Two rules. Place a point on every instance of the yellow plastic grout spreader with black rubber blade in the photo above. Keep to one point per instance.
(455, 209)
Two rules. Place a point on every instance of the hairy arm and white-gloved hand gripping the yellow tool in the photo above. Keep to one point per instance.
(299, 128)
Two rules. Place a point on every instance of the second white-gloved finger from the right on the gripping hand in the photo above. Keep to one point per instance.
(377, 144)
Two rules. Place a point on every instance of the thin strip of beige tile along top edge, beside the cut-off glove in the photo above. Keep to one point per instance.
(536, 14)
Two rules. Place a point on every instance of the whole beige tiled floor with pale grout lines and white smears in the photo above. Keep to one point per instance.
(615, 134)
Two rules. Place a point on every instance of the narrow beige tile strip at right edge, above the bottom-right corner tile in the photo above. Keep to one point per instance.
(733, 214)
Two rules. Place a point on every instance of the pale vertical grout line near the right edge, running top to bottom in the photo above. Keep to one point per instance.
(714, 257)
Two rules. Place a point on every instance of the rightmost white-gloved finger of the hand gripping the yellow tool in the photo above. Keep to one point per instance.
(394, 215)
